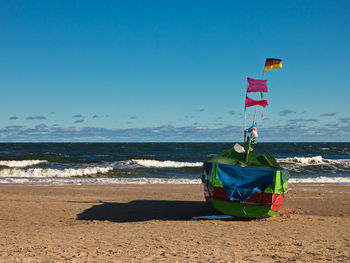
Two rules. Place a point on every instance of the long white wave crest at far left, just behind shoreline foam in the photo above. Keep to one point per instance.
(40, 172)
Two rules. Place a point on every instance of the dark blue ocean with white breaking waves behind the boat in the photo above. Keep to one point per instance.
(147, 163)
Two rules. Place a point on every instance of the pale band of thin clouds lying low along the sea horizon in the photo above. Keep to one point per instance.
(297, 131)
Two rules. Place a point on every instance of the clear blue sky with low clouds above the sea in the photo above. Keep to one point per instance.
(172, 70)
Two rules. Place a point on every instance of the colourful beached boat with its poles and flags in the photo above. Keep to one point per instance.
(240, 183)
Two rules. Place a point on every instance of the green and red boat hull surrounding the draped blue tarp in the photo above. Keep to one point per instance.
(265, 203)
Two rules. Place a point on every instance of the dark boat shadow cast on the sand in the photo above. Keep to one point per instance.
(145, 210)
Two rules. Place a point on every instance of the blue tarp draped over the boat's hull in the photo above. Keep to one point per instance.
(240, 183)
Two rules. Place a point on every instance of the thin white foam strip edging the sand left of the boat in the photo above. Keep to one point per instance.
(79, 181)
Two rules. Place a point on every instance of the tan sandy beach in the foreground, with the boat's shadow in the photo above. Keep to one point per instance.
(142, 223)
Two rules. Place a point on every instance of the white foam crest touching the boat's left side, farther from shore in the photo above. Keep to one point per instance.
(161, 164)
